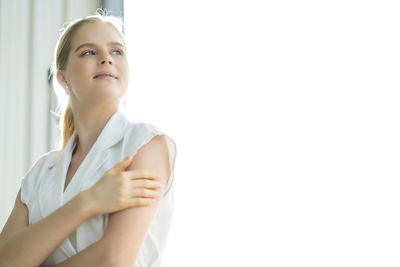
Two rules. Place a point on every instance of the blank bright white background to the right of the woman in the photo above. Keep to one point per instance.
(286, 119)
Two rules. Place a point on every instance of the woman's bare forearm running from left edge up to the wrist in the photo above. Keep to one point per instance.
(32, 245)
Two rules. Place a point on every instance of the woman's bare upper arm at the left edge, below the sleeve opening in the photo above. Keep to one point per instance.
(17, 220)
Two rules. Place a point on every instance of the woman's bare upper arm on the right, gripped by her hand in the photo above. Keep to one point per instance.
(126, 229)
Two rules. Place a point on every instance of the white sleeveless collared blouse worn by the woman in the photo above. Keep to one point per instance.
(42, 187)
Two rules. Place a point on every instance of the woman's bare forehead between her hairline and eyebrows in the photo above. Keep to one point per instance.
(95, 32)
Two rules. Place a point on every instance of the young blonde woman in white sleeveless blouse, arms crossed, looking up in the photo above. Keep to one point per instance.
(105, 198)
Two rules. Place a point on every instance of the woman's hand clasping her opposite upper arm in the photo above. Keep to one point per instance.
(118, 189)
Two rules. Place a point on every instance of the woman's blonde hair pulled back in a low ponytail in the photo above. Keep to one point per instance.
(61, 53)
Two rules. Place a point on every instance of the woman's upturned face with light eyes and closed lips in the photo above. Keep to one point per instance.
(97, 51)
